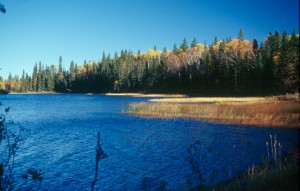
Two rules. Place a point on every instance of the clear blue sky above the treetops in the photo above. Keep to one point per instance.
(42, 30)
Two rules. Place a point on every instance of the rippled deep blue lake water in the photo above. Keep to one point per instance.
(62, 138)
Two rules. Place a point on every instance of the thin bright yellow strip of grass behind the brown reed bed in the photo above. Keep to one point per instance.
(209, 99)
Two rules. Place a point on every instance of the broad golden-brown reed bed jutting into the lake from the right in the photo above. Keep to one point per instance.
(250, 113)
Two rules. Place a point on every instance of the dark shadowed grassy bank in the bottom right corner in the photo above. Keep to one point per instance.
(276, 173)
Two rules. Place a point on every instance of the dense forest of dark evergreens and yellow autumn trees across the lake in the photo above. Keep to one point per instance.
(226, 67)
